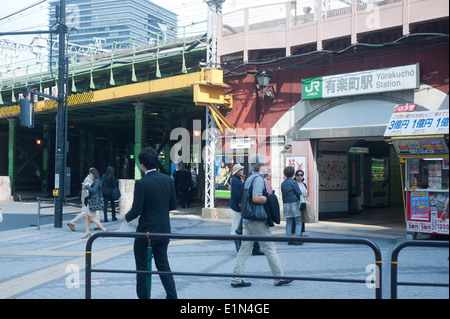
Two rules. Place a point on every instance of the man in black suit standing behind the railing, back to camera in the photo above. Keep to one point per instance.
(154, 197)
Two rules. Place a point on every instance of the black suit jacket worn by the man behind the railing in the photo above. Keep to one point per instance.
(154, 197)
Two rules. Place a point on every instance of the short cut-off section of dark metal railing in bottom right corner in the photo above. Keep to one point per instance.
(394, 264)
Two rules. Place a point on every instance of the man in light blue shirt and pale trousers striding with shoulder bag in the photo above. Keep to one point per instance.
(253, 196)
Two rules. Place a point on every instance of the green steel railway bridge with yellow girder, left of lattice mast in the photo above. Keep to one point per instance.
(118, 102)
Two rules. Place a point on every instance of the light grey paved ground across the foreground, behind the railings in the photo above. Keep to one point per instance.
(49, 264)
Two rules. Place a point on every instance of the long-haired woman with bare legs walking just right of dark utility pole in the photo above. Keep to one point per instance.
(95, 202)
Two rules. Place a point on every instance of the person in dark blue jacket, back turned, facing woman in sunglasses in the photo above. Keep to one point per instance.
(291, 195)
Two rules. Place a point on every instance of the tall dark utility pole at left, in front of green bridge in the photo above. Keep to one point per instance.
(61, 127)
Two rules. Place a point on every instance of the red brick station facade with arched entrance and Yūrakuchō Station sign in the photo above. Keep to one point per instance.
(325, 112)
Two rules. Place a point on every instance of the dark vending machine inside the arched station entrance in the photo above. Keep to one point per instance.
(376, 178)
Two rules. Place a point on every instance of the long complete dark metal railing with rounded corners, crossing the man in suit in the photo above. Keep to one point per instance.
(354, 241)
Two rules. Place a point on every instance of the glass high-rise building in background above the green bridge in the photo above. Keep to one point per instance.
(101, 23)
